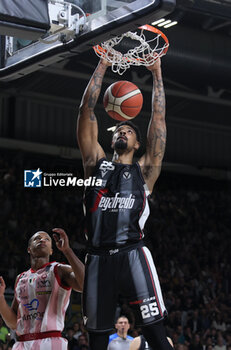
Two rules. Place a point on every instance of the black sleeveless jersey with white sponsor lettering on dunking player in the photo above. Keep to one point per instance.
(117, 210)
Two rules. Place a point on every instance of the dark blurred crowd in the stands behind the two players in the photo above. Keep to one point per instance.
(188, 232)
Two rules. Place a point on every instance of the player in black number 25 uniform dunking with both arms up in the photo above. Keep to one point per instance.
(117, 261)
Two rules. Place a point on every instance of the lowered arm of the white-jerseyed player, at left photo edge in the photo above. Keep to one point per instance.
(9, 314)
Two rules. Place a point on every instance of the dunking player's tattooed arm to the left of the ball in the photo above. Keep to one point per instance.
(87, 127)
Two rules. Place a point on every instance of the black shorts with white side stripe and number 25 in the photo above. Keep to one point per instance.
(129, 273)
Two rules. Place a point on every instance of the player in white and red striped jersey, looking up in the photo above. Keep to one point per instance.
(42, 294)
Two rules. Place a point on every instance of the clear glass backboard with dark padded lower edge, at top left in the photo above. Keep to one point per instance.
(76, 26)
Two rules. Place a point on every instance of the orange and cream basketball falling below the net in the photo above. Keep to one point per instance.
(123, 100)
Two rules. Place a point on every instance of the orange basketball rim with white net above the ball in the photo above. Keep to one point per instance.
(141, 48)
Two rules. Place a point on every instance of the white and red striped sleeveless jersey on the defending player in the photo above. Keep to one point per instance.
(42, 300)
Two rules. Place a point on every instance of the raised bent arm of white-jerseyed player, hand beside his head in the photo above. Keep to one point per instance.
(73, 275)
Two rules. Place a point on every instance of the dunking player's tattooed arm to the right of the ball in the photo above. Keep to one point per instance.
(156, 136)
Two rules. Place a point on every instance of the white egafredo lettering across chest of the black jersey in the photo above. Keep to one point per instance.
(117, 202)
